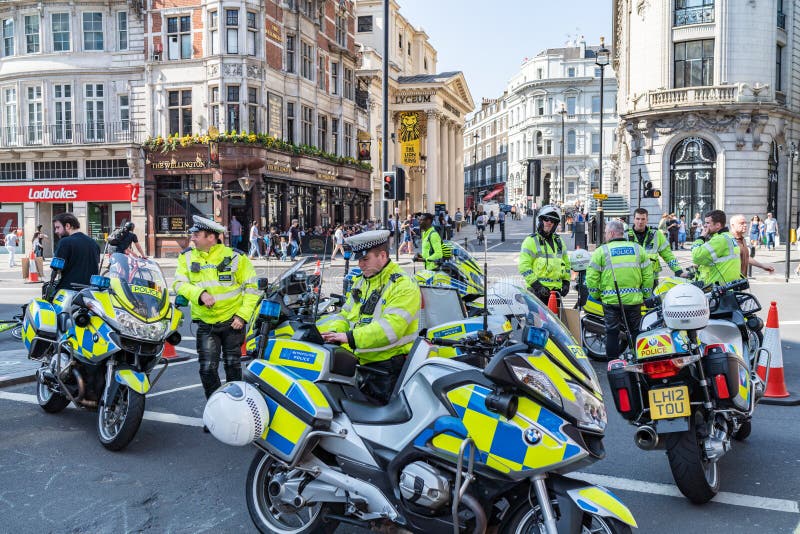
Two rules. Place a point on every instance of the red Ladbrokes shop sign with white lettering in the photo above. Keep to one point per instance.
(67, 193)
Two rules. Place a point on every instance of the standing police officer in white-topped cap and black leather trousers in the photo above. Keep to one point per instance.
(221, 287)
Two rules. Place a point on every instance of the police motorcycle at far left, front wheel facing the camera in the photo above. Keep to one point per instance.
(99, 345)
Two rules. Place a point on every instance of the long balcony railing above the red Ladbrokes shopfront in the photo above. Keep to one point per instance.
(71, 134)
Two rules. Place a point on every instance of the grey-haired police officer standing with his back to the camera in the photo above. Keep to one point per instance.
(620, 275)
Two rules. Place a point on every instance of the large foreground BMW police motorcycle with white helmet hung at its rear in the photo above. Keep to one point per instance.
(457, 448)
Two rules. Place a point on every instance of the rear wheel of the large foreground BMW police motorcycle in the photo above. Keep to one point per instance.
(270, 515)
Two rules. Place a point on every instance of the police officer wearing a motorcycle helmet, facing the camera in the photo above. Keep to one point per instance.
(543, 260)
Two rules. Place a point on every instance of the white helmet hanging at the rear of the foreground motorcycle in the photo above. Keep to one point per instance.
(236, 414)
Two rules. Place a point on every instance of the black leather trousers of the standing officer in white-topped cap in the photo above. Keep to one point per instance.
(211, 339)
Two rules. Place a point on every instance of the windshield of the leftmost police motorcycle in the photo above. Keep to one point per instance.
(138, 285)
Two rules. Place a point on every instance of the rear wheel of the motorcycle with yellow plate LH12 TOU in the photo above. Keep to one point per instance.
(695, 476)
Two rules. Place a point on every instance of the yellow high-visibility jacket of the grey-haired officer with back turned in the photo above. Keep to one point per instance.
(629, 264)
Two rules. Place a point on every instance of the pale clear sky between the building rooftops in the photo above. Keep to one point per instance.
(488, 40)
